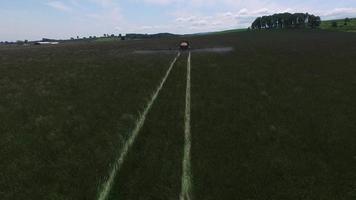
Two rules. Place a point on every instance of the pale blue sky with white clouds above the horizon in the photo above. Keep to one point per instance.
(62, 19)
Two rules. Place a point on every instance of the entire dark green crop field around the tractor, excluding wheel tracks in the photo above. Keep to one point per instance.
(272, 119)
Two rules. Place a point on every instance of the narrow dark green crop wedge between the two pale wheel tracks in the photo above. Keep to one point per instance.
(153, 166)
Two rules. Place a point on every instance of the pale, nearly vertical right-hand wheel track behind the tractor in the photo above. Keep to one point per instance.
(186, 176)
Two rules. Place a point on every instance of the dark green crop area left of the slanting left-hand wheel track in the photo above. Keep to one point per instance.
(65, 112)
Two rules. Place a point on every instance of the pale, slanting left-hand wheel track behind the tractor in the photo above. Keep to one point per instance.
(105, 190)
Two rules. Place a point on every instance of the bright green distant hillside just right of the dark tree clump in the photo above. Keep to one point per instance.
(341, 26)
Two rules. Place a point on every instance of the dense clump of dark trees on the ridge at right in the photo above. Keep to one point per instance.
(286, 20)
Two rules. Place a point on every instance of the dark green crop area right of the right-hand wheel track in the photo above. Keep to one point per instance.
(274, 119)
